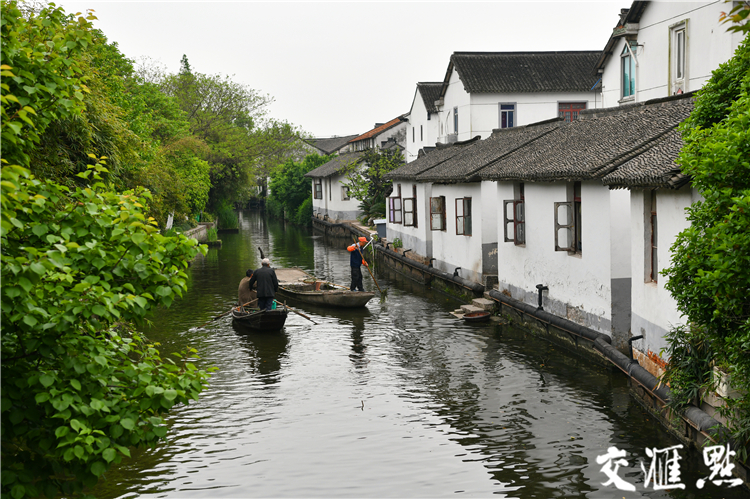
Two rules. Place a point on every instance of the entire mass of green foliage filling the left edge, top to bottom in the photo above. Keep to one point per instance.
(82, 261)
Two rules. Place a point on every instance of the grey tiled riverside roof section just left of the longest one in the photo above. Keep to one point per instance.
(462, 167)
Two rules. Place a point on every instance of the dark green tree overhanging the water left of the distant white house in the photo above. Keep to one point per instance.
(291, 196)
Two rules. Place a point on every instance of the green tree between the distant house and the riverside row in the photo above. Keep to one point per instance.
(366, 180)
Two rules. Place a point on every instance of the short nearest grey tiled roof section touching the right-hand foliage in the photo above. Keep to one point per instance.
(655, 168)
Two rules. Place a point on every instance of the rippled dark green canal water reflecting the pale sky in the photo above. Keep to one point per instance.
(399, 399)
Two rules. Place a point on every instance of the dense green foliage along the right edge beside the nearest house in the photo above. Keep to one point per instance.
(710, 272)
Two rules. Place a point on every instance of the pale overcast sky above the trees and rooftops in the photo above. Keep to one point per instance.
(337, 68)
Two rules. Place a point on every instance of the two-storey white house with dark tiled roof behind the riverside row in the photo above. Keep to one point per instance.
(483, 91)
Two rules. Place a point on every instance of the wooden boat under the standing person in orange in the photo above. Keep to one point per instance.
(296, 284)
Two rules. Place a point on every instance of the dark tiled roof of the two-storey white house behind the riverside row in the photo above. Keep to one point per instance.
(508, 72)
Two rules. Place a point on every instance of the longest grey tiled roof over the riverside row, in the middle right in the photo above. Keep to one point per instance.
(600, 141)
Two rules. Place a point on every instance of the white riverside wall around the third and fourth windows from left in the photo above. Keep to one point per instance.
(451, 250)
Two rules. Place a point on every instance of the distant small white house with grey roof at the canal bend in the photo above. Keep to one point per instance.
(331, 199)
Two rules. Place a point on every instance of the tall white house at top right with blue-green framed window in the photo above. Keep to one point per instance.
(664, 48)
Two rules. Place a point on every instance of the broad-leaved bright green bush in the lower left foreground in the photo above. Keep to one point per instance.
(79, 385)
